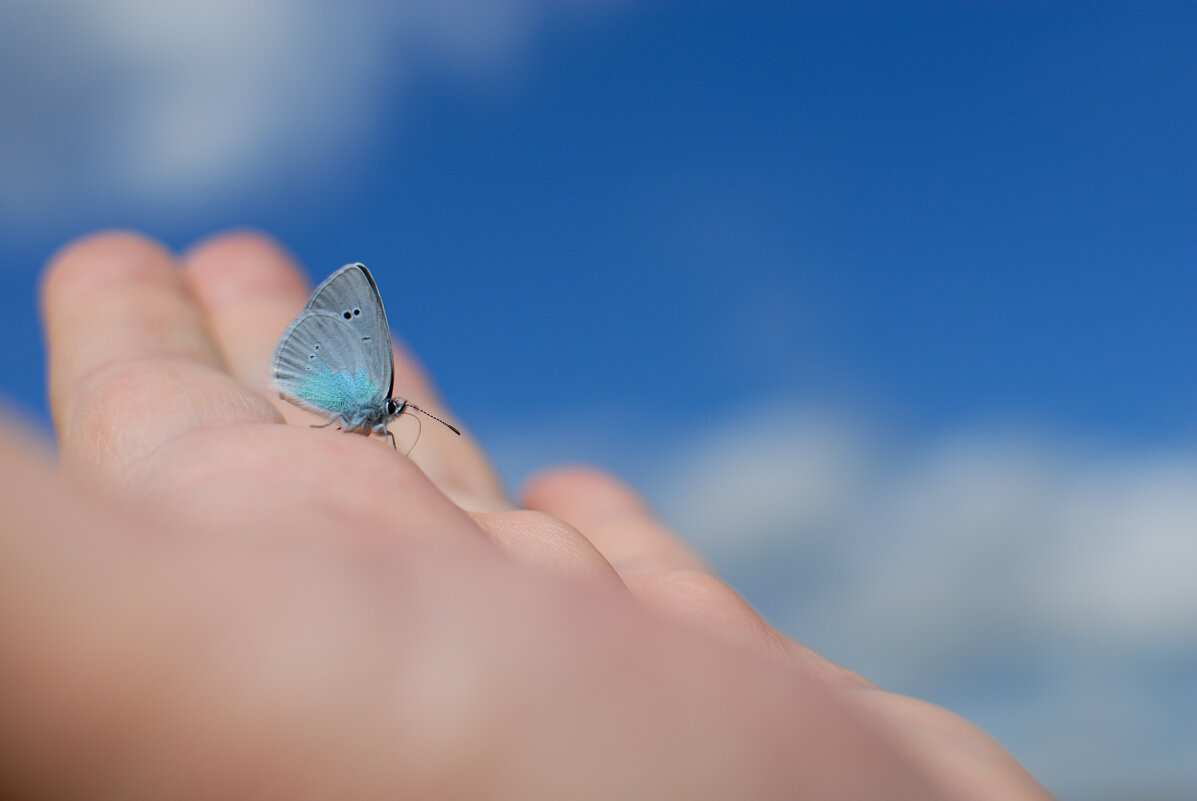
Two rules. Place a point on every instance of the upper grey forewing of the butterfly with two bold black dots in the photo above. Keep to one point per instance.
(353, 295)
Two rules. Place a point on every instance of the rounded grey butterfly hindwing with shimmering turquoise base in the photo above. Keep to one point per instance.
(323, 366)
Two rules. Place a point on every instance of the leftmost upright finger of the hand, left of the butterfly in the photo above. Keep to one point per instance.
(132, 363)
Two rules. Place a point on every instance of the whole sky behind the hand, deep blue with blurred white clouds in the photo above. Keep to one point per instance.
(895, 281)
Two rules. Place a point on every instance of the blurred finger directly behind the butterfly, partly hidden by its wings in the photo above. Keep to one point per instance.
(252, 290)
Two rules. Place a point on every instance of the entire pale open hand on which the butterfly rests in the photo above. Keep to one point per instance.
(205, 598)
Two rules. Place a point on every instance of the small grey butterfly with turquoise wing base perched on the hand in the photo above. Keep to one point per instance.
(336, 359)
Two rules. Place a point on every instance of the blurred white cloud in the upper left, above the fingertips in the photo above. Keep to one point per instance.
(144, 102)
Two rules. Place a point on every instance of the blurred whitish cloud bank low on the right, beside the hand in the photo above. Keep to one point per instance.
(1042, 587)
